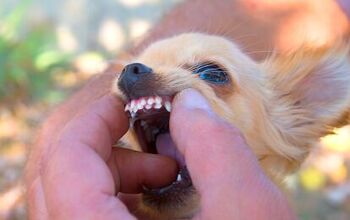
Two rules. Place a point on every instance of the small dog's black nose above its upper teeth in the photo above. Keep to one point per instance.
(132, 77)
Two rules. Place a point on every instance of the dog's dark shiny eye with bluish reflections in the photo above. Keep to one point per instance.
(211, 72)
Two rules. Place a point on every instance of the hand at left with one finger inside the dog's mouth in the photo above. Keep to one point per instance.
(81, 173)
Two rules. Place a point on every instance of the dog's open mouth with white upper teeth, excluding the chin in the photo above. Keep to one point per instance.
(149, 116)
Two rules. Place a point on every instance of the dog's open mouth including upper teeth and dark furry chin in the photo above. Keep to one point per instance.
(149, 117)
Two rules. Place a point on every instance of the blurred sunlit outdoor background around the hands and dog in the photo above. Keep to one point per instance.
(50, 48)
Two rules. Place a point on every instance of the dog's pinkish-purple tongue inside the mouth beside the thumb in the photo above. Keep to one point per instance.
(166, 146)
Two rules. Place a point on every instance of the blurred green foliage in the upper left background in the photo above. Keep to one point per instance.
(28, 61)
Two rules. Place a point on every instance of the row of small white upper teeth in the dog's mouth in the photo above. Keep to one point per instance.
(147, 103)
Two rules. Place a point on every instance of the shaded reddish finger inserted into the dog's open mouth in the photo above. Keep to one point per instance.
(136, 170)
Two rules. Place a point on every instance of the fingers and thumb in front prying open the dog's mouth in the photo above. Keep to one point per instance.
(84, 173)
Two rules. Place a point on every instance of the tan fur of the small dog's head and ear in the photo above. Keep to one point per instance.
(282, 105)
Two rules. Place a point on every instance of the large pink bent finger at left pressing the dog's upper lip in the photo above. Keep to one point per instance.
(76, 178)
